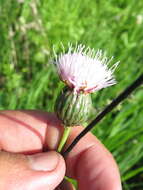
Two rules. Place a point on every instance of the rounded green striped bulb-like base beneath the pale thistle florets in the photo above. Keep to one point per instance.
(73, 108)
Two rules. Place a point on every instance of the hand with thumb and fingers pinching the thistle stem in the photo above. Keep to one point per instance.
(25, 164)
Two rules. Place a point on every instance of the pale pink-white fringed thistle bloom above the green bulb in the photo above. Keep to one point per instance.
(85, 70)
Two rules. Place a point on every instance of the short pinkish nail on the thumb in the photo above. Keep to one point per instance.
(44, 161)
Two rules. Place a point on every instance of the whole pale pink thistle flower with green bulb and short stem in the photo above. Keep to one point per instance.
(84, 71)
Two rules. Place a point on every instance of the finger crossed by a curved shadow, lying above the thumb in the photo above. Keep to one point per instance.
(28, 131)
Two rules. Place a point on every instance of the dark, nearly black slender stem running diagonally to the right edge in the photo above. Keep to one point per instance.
(107, 109)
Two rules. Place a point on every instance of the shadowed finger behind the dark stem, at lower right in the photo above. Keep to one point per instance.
(91, 164)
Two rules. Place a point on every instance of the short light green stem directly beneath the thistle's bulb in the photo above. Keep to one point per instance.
(64, 138)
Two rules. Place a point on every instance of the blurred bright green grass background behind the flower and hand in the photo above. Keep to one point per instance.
(28, 31)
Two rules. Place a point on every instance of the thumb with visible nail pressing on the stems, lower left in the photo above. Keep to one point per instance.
(40, 171)
